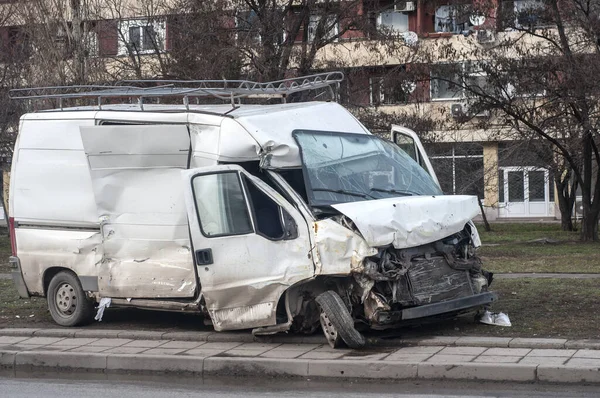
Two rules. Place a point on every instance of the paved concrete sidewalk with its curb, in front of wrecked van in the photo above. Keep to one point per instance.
(500, 359)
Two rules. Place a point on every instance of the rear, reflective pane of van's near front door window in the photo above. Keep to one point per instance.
(221, 205)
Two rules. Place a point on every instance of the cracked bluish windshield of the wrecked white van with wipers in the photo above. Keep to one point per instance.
(344, 167)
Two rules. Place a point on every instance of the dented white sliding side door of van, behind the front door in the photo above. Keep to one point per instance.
(135, 172)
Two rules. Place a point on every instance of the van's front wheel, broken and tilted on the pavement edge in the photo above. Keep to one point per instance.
(337, 323)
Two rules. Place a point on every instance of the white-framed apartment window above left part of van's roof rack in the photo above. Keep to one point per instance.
(141, 36)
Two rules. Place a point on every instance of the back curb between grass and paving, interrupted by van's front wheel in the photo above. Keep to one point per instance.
(247, 337)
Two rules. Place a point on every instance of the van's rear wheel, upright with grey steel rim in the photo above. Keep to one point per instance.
(67, 302)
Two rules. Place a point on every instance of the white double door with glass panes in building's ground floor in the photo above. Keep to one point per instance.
(526, 192)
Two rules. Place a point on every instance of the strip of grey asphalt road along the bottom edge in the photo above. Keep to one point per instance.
(85, 386)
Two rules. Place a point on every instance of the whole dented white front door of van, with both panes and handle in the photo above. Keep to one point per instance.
(249, 243)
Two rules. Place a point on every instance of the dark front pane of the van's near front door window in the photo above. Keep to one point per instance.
(267, 213)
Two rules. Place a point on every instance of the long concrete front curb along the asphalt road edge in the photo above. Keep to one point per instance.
(303, 368)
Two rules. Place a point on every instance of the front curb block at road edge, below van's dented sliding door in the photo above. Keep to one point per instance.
(154, 363)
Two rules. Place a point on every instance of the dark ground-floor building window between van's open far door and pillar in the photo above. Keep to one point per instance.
(459, 167)
